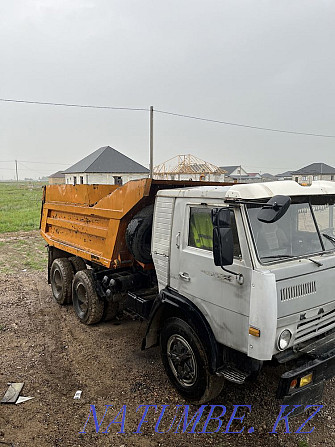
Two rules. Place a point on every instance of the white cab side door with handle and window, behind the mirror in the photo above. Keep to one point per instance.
(193, 273)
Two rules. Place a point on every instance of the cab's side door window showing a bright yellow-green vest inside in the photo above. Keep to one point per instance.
(200, 233)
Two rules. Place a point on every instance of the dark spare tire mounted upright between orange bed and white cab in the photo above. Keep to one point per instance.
(138, 235)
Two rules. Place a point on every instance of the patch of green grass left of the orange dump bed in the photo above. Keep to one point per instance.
(20, 206)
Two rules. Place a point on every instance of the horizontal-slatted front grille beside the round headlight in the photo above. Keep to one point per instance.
(310, 327)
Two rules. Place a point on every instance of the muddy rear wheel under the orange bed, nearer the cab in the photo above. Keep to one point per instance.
(87, 305)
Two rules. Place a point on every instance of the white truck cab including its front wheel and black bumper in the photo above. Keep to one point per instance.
(245, 275)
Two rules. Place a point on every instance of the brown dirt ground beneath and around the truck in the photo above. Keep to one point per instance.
(45, 346)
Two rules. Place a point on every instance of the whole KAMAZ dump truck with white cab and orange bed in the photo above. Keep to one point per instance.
(227, 276)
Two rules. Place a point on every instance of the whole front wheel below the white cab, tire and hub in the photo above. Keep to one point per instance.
(186, 363)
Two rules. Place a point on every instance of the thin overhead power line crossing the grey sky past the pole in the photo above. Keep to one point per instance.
(180, 115)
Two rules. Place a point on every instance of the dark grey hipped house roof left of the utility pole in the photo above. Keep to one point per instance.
(107, 159)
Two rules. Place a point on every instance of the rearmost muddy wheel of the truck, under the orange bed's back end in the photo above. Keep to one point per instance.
(61, 275)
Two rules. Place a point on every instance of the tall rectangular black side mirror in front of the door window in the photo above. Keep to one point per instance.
(223, 245)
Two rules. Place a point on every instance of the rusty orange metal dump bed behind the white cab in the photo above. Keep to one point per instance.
(90, 220)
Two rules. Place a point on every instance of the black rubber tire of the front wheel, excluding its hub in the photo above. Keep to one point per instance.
(207, 386)
